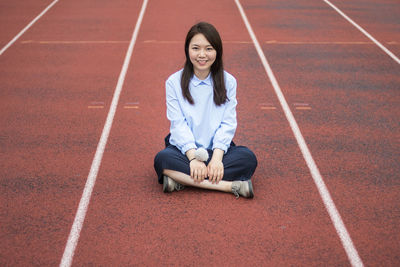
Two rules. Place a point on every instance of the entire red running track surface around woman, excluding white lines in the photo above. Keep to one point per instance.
(49, 133)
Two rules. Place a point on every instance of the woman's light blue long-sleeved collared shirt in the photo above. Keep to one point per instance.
(203, 124)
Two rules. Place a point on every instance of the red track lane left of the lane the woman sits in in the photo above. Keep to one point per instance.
(49, 134)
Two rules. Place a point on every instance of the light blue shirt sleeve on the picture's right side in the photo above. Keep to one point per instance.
(224, 134)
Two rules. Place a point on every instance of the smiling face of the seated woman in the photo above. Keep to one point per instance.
(202, 55)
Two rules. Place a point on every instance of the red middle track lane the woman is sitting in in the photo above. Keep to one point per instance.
(130, 221)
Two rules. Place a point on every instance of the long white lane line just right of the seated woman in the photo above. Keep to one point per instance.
(337, 221)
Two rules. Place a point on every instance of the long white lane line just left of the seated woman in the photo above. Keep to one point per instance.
(87, 192)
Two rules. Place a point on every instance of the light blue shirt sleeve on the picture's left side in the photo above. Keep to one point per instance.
(181, 135)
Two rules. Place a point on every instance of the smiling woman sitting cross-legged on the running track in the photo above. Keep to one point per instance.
(201, 106)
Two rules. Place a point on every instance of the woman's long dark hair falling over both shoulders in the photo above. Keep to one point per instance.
(217, 68)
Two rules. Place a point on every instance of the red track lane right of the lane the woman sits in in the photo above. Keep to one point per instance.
(351, 124)
